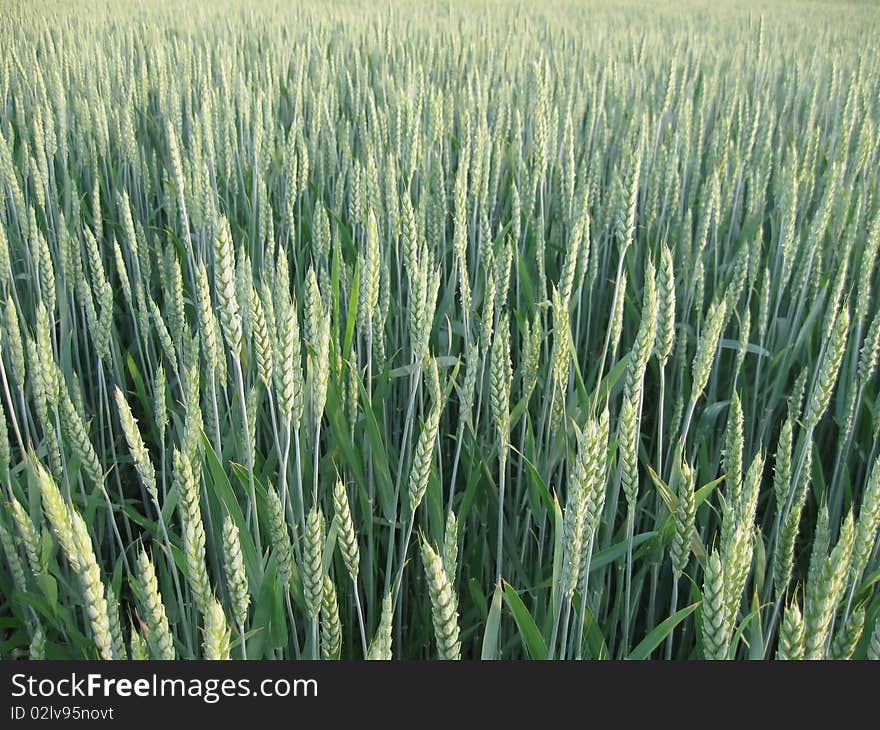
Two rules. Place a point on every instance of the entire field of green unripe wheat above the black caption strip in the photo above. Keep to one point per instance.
(459, 331)
